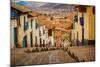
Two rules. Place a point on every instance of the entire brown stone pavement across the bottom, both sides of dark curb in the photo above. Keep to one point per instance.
(20, 57)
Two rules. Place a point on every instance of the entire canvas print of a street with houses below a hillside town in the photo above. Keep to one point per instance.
(59, 34)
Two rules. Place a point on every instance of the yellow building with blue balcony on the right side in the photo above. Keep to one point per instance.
(83, 32)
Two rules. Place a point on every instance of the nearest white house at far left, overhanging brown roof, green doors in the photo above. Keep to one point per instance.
(19, 25)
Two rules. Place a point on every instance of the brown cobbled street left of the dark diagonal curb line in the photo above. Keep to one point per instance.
(18, 57)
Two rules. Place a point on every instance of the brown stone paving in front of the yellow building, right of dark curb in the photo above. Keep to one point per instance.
(86, 53)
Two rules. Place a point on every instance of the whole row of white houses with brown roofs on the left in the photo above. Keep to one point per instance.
(29, 28)
